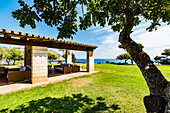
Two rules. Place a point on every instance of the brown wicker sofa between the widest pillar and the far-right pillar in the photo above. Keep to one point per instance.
(67, 68)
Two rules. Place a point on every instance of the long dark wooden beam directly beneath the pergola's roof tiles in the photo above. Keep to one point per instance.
(49, 44)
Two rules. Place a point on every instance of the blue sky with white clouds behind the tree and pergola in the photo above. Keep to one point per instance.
(103, 37)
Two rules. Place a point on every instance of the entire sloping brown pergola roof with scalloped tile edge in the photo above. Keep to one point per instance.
(26, 39)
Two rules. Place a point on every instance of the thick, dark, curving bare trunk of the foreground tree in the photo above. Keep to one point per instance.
(159, 99)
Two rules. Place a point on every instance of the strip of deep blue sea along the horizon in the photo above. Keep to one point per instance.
(99, 61)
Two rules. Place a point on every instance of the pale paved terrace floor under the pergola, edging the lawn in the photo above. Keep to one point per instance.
(56, 77)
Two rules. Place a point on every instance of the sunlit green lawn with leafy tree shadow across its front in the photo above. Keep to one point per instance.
(116, 88)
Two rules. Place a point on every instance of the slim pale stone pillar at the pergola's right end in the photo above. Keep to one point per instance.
(90, 61)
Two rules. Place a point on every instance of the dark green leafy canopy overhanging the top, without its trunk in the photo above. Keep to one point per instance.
(63, 14)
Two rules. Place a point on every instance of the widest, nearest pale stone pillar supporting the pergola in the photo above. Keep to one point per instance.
(36, 57)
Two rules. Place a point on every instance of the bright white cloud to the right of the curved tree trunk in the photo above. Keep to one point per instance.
(155, 42)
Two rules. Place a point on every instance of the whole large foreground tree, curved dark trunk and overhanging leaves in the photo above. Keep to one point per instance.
(122, 16)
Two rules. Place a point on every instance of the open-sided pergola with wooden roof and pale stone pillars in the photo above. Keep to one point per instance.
(36, 48)
